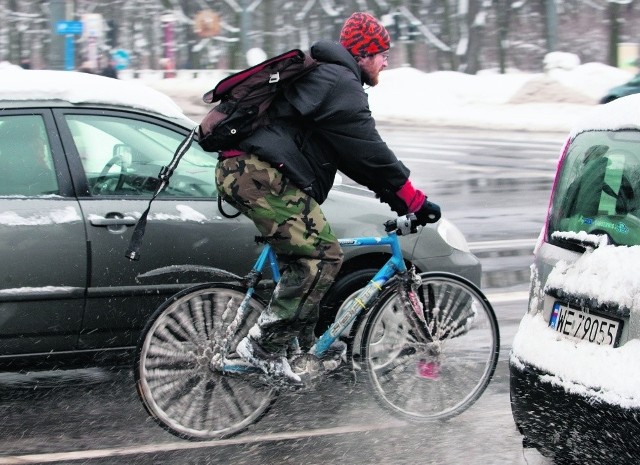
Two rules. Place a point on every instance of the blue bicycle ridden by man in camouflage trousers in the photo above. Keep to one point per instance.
(429, 343)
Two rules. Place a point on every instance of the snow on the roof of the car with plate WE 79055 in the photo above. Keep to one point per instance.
(622, 113)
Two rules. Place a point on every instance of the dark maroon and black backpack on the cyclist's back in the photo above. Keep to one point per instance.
(245, 97)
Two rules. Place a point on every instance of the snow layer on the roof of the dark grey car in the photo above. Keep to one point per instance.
(83, 88)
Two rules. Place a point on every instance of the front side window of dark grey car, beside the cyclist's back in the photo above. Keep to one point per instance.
(123, 156)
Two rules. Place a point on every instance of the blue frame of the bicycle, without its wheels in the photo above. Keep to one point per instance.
(394, 266)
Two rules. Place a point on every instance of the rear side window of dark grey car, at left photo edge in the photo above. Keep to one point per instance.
(26, 166)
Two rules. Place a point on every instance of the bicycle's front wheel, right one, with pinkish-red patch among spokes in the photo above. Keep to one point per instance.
(435, 365)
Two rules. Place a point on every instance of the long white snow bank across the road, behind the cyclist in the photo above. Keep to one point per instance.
(550, 101)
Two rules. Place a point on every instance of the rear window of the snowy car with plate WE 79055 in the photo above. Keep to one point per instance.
(598, 185)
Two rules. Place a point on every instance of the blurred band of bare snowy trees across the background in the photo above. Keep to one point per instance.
(460, 35)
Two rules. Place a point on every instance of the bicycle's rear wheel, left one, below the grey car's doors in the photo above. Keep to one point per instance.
(173, 376)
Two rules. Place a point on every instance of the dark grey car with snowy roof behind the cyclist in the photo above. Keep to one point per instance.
(79, 160)
